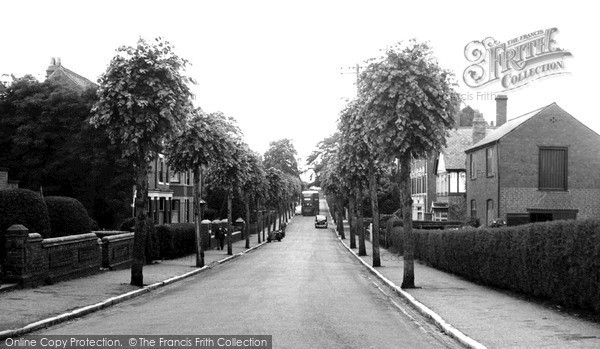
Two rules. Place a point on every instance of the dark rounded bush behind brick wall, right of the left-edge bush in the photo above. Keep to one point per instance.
(67, 216)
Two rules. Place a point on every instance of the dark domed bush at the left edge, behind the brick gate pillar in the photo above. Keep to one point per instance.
(22, 206)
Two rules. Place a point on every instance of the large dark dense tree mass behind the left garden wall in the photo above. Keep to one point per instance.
(47, 142)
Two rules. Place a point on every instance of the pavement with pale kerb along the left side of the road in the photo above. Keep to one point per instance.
(26, 310)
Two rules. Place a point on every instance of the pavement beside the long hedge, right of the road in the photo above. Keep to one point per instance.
(482, 317)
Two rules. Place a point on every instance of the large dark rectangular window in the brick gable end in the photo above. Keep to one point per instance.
(553, 169)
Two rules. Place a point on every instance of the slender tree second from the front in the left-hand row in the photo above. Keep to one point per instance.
(204, 141)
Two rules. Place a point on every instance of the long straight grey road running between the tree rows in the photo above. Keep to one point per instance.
(306, 291)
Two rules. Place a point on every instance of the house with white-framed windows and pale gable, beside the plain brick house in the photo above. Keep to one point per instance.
(439, 181)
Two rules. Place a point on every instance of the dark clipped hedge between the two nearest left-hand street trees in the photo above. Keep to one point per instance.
(176, 240)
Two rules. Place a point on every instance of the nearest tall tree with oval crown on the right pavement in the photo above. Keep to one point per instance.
(410, 106)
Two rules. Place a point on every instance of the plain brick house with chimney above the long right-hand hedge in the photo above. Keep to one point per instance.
(539, 166)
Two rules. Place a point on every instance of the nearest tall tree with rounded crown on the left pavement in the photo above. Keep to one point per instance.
(143, 101)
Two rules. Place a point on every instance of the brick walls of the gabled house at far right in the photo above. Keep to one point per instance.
(517, 155)
